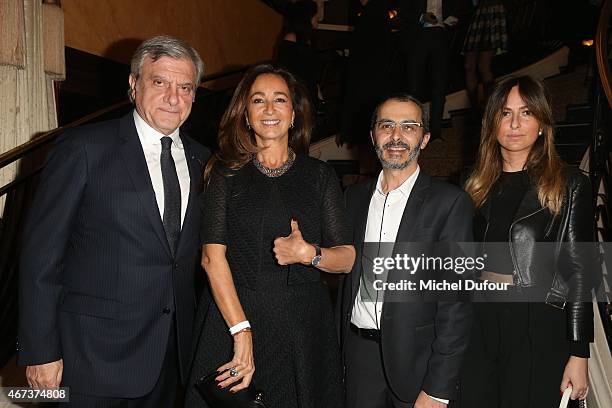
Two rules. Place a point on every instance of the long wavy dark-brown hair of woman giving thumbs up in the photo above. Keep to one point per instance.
(237, 144)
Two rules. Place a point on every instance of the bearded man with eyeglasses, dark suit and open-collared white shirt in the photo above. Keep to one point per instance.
(400, 354)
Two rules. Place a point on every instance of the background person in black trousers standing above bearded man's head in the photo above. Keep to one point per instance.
(424, 42)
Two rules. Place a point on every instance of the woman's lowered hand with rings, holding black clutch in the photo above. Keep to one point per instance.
(242, 364)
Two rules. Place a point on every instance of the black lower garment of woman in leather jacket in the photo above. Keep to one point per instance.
(516, 356)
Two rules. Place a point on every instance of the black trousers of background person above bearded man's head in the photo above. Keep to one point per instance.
(427, 61)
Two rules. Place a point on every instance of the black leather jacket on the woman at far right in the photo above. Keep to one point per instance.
(532, 223)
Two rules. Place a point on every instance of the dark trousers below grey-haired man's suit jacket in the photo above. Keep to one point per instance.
(163, 394)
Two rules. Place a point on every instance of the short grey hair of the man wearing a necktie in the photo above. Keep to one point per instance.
(166, 46)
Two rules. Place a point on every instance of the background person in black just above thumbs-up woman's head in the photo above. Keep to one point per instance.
(295, 51)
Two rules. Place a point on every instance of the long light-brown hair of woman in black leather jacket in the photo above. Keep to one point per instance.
(543, 164)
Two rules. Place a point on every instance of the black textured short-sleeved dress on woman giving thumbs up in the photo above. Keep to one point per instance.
(297, 361)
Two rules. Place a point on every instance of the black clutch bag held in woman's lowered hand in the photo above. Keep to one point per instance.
(222, 398)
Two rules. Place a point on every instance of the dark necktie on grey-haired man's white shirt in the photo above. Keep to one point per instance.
(172, 194)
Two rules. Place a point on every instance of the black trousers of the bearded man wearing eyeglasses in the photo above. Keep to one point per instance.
(366, 385)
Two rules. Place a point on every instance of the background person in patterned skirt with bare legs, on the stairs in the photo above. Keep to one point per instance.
(486, 36)
